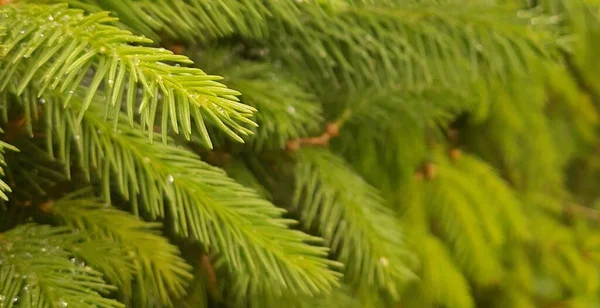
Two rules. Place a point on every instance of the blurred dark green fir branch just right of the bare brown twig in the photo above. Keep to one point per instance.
(376, 119)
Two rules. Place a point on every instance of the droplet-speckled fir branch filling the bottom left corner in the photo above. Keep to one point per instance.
(33, 270)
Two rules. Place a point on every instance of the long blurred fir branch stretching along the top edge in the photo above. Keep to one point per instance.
(379, 43)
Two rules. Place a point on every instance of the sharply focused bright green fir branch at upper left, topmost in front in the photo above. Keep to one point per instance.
(58, 46)
